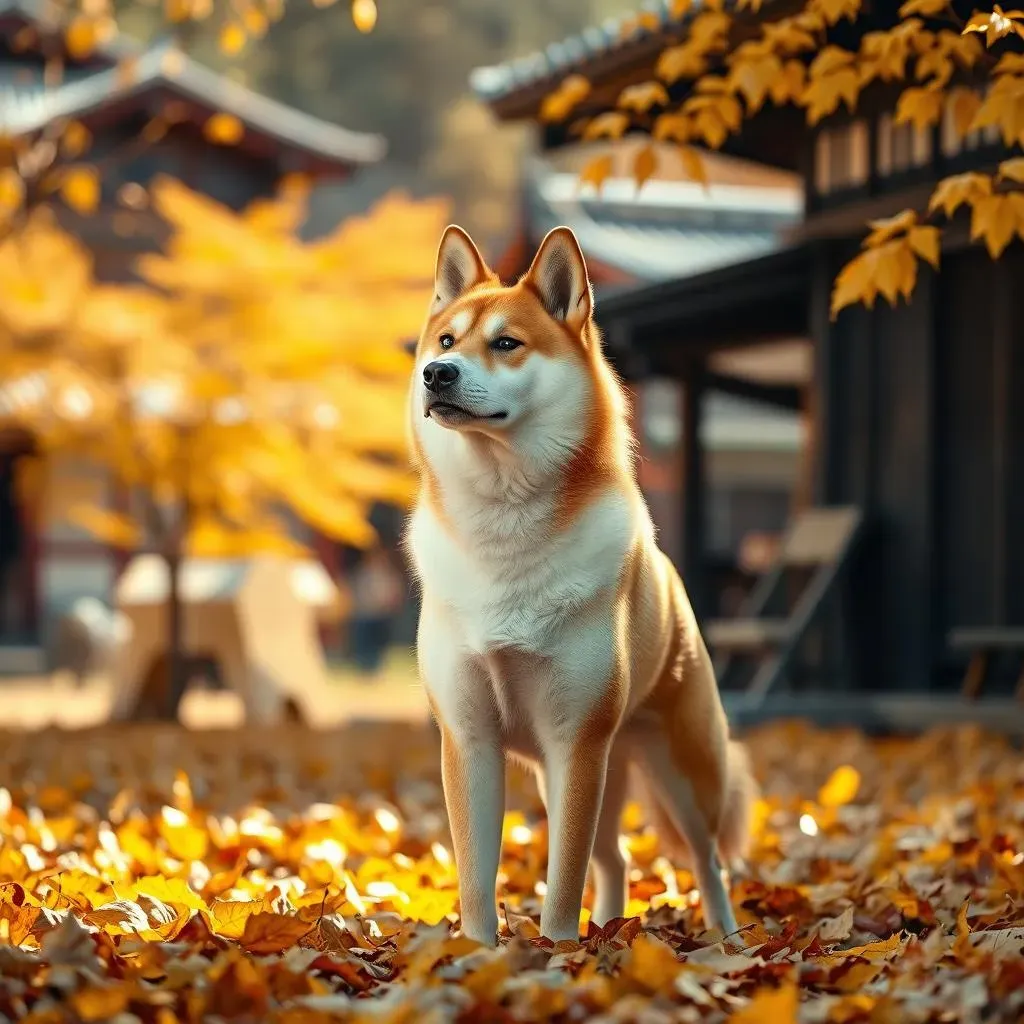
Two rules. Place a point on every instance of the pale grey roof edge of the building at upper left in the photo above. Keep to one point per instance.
(29, 107)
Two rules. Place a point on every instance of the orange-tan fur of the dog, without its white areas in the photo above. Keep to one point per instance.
(659, 708)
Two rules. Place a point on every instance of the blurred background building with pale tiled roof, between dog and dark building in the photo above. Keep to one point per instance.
(675, 228)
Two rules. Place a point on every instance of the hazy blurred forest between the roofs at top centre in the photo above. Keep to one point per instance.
(407, 80)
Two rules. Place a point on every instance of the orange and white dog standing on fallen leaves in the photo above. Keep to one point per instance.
(553, 631)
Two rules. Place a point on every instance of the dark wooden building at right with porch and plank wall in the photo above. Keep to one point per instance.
(916, 410)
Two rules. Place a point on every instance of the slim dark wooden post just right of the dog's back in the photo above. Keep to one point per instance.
(693, 533)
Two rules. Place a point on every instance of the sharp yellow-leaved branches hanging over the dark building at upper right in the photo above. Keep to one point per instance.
(947, 58)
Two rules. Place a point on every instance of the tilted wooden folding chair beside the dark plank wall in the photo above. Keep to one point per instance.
(819, 541)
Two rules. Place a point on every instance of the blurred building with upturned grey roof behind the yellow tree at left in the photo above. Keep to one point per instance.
(116, 93)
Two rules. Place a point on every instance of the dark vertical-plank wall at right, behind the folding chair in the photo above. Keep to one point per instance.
(923, 426)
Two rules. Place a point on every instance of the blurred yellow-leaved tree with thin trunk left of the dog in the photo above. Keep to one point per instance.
(249, 374)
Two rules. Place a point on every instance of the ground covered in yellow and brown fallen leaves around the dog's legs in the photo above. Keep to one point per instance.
(160, 876)
